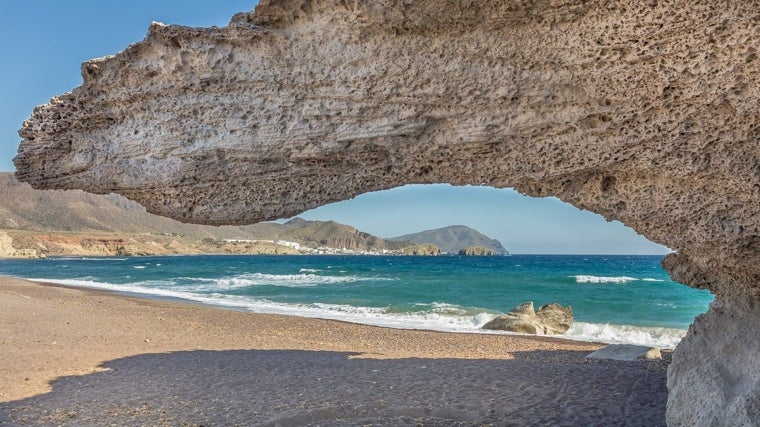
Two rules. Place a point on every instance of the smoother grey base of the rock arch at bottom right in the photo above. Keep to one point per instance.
(718, 357)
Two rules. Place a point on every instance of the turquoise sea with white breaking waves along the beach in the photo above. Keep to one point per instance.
(616, 299)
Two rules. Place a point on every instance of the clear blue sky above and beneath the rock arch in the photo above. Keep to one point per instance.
(45, 41)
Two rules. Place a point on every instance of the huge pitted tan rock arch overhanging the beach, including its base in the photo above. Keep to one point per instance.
(644, 112)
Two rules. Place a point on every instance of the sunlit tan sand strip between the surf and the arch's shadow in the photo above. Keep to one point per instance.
(63, 350)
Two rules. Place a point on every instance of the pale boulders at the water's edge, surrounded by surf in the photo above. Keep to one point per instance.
(550, 319)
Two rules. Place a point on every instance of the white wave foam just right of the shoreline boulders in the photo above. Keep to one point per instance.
(625, 334)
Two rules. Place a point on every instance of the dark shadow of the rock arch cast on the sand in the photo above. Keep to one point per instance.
(295, 388)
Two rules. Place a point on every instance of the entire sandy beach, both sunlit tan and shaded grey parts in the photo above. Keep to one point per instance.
(80, 357)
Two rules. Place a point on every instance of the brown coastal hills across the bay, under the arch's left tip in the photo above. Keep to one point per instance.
(79, 223)
